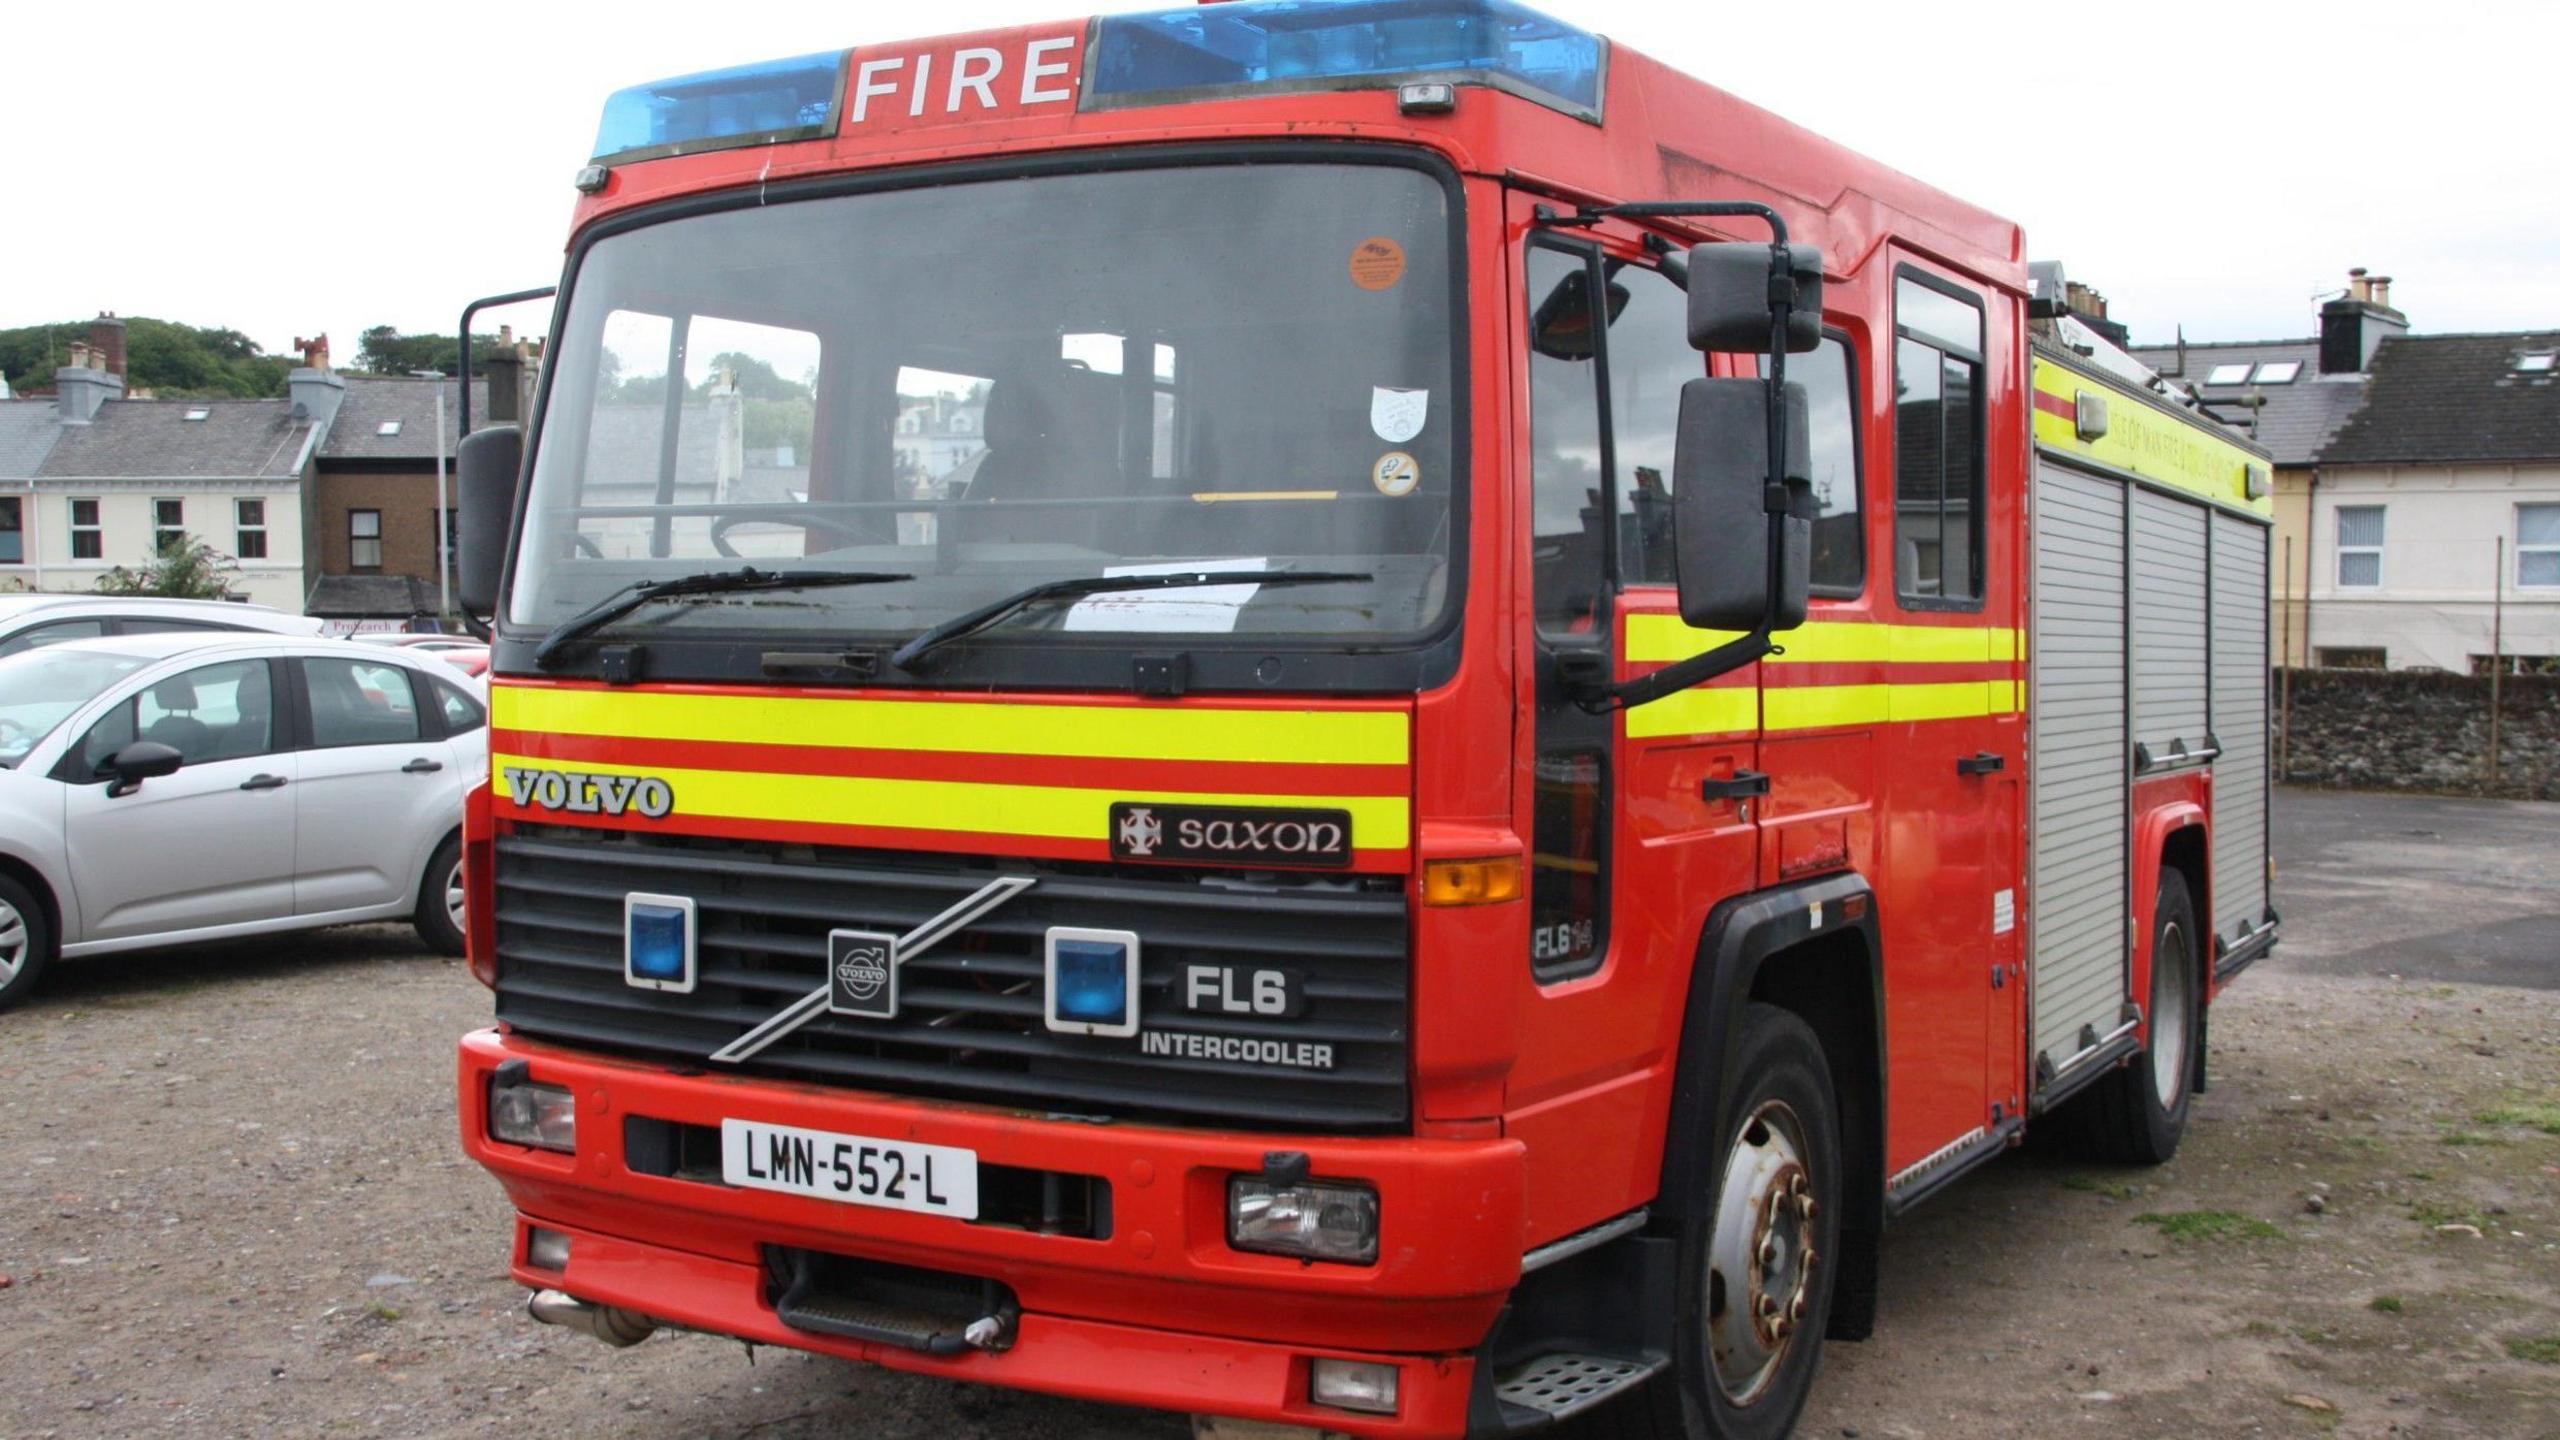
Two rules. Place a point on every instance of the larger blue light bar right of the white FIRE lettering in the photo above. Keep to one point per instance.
(1340, 45)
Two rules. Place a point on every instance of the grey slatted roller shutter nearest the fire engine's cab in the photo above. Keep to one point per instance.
(2077, 896)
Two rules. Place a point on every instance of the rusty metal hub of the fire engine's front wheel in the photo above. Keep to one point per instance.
(1763, 1264)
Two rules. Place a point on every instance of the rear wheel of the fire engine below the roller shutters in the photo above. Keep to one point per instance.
(2136, 1116)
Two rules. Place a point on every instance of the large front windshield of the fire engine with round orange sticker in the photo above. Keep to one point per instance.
(995, 386)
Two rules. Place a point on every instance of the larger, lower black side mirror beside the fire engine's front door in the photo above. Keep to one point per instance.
(1719, 506)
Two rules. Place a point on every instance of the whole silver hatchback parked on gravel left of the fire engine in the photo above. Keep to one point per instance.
(204, 785)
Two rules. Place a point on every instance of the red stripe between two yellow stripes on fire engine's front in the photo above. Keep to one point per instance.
(1079, 773)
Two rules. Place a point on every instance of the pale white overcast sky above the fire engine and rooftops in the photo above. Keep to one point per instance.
(288, 170)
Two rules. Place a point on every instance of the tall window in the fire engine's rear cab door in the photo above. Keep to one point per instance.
(1937, 445)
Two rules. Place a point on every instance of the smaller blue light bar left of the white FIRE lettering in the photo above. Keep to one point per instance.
(751, 104)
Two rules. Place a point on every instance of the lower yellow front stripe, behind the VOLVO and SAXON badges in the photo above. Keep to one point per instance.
(1379, 824)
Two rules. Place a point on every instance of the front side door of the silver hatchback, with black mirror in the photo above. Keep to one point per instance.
(211, 844)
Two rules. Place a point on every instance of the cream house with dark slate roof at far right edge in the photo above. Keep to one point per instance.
(2436, 511)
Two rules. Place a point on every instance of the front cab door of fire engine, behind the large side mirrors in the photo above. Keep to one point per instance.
(1637, 819)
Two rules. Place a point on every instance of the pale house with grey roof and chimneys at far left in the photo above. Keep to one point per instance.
(127, 475)
